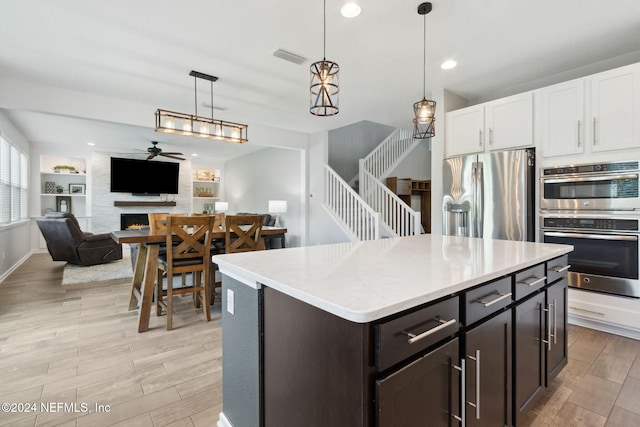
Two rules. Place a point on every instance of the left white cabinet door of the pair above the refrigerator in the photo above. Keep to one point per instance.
(465, 128)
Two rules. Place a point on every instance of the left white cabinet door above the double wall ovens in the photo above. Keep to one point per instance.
(562, 119)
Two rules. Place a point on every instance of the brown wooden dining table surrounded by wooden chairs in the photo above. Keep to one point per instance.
(144, 270)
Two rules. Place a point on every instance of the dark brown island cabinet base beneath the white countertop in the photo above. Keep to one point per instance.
(477, 357)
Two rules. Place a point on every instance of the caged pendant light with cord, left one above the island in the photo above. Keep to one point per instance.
(324, 81)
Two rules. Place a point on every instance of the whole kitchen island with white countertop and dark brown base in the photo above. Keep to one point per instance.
(389, 332)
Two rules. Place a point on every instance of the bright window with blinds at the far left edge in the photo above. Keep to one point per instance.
(14, 191)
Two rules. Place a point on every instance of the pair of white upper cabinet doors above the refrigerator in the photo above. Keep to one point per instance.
(497, 125)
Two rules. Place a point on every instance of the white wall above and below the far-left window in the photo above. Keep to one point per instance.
(14, 239)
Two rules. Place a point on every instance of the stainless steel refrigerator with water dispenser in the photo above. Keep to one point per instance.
(490, 195)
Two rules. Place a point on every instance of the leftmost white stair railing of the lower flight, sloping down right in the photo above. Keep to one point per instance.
(352, 213)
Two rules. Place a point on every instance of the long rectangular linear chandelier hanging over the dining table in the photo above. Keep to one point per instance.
(200, 126)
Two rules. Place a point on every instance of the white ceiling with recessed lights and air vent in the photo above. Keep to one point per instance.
(142, 51)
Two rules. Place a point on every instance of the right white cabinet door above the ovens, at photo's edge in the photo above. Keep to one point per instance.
(615, 109)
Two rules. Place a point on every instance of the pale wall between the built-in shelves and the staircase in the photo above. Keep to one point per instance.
(270, 174)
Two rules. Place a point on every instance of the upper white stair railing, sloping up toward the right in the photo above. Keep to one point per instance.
(389, 153)
